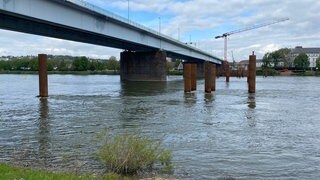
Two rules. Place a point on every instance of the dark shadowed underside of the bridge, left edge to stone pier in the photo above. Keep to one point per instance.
(24, 24)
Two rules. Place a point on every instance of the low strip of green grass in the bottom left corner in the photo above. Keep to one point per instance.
(9, 172)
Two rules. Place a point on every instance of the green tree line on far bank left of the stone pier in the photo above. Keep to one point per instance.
(56, 63)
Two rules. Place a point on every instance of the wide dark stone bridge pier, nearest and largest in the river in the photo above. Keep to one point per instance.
(143, 66)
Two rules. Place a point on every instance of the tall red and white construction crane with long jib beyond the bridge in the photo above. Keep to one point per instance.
(225, 35)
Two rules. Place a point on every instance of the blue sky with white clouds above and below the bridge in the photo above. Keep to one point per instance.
(196, 21)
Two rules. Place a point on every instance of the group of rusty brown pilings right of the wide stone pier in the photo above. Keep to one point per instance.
(210, 74)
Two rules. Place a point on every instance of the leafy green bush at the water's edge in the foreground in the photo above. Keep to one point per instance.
(129, 154)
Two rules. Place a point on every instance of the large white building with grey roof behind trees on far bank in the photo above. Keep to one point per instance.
(312, 53)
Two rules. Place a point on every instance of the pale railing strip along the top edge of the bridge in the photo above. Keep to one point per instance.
(99, 10)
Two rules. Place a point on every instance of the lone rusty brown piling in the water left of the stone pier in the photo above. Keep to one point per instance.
(43, 75)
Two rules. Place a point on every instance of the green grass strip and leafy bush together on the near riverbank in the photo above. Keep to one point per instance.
(124, 156)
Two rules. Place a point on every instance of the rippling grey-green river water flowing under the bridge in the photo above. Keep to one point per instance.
(274, 134)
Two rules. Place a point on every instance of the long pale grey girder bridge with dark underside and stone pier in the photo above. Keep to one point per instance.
(145, 50)
